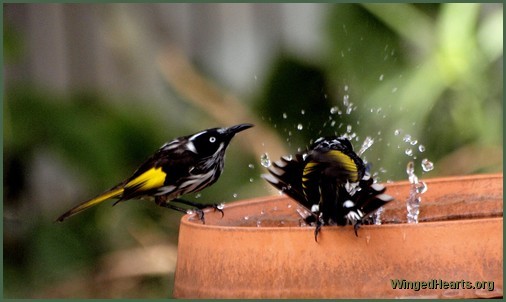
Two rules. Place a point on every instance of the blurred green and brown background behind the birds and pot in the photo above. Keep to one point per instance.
(90, 91)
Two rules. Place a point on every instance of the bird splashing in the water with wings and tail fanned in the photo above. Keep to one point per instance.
(330, 180)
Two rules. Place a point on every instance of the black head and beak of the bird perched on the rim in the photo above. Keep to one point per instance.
(213, 141)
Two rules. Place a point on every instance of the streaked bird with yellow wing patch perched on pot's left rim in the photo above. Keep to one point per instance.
(183, 165)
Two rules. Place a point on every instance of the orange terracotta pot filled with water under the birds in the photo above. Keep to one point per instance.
(259, 250)
